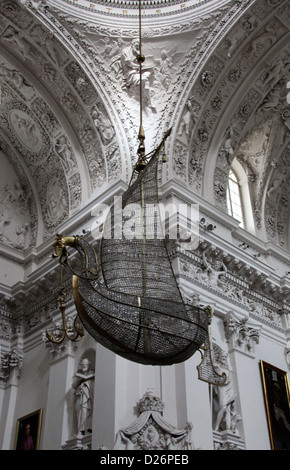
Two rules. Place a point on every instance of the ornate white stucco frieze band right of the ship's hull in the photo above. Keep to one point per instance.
(233, 280)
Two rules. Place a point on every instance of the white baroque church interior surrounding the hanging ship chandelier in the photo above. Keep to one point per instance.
(217, 73)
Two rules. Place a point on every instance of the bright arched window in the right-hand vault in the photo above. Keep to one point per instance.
(238, 197)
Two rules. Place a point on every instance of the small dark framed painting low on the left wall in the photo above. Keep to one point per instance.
(28, 431)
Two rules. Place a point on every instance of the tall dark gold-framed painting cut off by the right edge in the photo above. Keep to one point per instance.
(277, 396)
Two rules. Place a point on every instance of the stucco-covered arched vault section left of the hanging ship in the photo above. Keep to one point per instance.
(54, 126)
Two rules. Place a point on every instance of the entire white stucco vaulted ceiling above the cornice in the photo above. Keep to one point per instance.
(215, 71)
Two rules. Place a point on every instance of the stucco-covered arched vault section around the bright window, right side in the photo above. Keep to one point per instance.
(237, 108)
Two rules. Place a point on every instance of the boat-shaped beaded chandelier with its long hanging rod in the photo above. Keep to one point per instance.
(127, 296)
